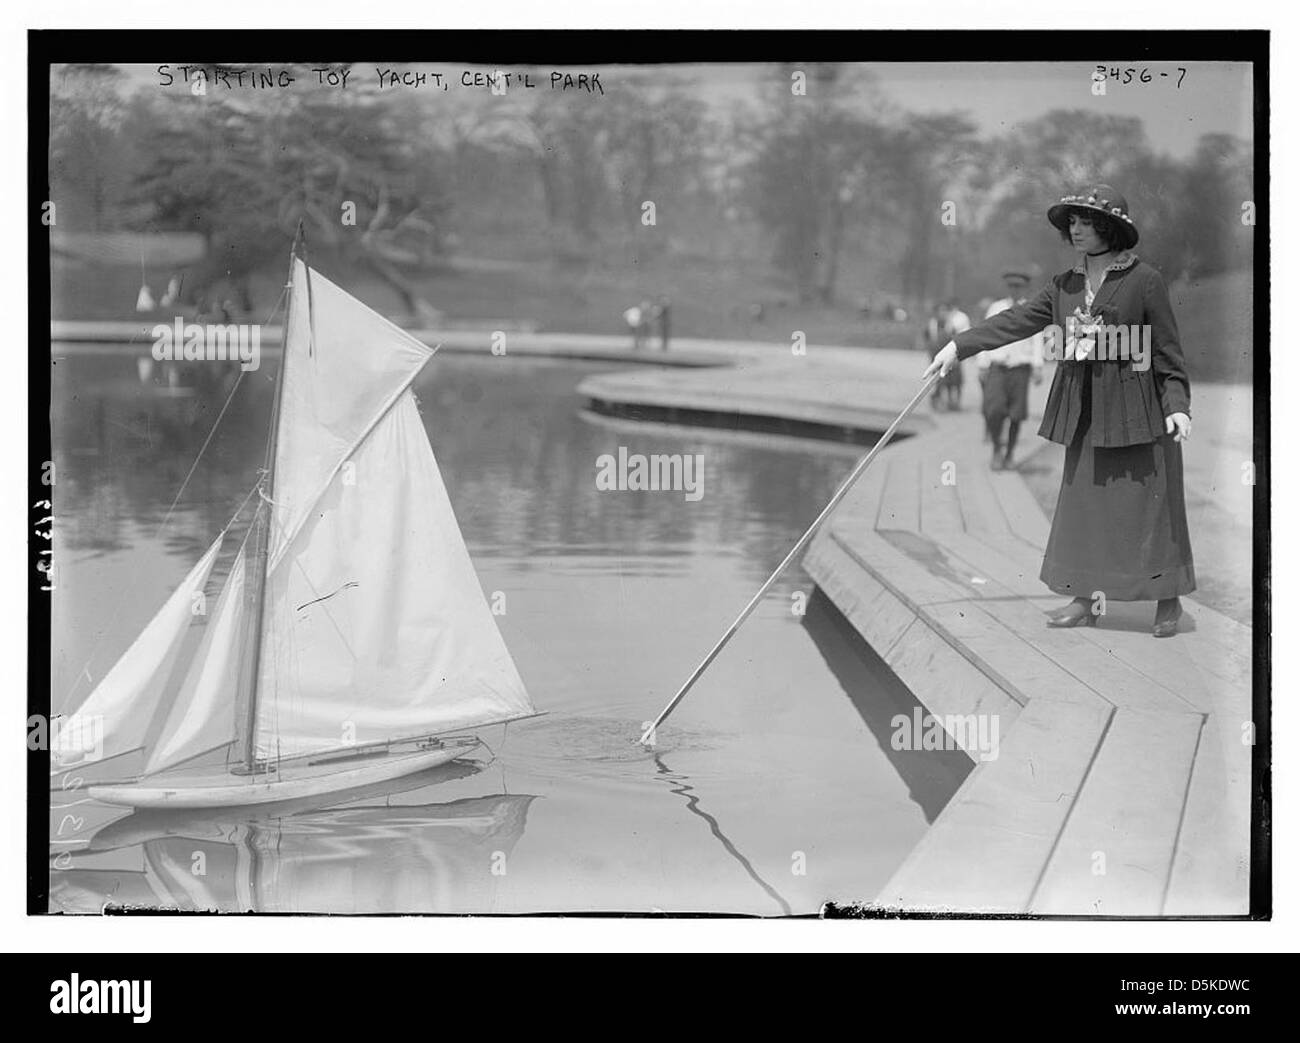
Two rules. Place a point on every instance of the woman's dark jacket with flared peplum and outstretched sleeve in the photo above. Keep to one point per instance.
(1129, 405)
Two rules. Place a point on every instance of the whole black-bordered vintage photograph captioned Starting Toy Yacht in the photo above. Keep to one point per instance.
(768, 486)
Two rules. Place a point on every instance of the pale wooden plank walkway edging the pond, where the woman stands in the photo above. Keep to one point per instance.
(1123, 778)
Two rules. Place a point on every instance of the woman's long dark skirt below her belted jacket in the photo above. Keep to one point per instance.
(1121, 523)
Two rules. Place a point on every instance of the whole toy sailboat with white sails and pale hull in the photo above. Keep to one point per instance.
(352, 640)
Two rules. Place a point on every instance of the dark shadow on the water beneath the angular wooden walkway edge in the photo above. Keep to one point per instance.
(878, 695)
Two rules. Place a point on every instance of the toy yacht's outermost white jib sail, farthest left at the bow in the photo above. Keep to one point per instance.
(123, 707)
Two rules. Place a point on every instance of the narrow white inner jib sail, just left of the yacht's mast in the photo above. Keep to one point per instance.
(203, 713)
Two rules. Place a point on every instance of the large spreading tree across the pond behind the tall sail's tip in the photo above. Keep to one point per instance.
(244, 171)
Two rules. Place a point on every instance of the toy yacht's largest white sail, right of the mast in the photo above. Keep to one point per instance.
(376, 626)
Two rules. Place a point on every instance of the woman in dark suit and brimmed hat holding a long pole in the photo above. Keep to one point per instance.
(1120, 527)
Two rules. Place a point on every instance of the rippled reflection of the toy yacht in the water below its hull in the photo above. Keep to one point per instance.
(372, 855)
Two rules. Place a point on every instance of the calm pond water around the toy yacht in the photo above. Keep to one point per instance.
(770, 791)
